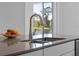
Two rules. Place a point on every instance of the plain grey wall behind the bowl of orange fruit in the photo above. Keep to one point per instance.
(12, 15)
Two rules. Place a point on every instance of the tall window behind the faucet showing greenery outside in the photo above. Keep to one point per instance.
(45, 10)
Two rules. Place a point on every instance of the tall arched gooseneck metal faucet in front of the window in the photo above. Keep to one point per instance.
(30, 29)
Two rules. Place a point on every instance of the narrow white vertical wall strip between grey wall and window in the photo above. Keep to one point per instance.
(28, 14)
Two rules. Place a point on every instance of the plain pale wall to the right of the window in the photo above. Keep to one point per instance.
(67, 17)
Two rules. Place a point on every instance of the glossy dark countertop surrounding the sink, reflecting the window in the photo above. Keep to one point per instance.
(18, 46)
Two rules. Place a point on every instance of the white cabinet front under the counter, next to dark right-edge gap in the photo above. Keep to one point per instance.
(59, 49)
